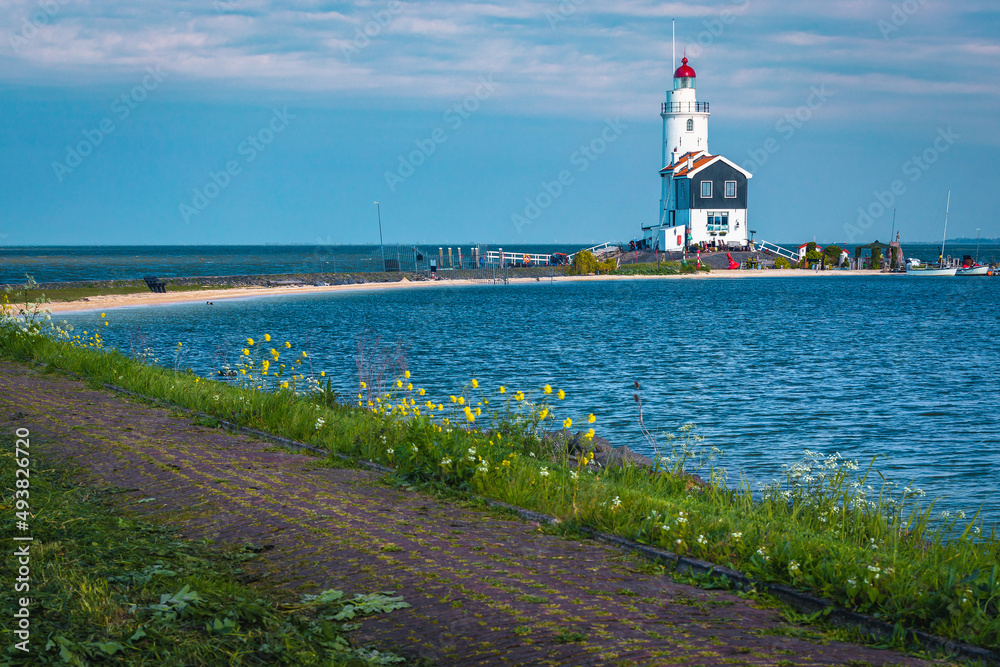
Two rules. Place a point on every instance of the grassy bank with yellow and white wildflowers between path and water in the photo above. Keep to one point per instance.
(828, 527)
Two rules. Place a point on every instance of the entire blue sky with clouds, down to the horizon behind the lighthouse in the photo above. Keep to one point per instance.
(244, 121)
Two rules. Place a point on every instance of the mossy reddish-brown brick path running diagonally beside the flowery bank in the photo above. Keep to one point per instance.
(484, 590)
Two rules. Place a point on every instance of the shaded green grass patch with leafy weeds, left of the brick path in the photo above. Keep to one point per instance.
(106, 588)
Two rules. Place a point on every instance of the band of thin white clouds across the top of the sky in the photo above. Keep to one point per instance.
(600, 58)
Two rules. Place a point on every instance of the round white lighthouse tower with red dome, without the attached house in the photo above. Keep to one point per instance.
(685, 124)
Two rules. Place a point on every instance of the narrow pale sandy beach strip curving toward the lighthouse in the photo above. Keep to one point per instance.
(113, 301)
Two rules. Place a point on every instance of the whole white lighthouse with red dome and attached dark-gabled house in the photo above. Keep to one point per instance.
(703, 197)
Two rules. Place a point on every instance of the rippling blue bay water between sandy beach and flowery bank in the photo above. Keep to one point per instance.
(900, 367)
